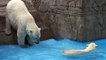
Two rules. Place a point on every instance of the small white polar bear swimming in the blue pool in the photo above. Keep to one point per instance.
(90, 47)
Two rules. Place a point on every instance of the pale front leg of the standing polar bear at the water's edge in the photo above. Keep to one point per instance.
(21, 38)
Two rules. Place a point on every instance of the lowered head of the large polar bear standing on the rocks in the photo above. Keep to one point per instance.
(34, 34)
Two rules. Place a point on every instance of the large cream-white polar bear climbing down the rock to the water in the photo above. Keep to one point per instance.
(19, 18)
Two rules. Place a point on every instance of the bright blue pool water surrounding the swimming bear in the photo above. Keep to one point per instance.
(52, 49)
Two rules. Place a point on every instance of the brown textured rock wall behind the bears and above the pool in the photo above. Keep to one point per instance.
(81, 20)
